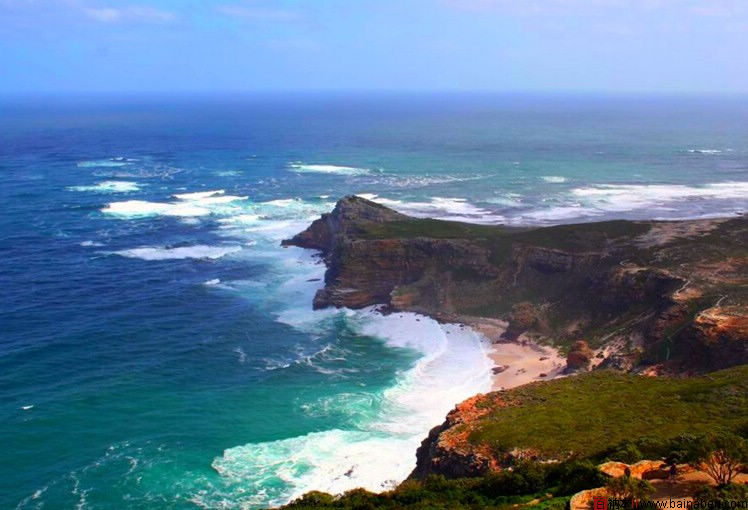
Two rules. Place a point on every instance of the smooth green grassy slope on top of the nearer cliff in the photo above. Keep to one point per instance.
(591, 413)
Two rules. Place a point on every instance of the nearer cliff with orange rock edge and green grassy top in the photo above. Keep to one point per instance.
(588, 416)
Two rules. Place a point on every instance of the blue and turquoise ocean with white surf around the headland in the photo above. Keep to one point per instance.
(158, 347)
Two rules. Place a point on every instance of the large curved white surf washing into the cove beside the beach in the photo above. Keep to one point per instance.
(379, 452)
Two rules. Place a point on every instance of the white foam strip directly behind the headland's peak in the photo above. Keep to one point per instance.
(456, 209)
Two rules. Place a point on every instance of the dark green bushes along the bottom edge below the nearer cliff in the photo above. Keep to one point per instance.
(542, 486)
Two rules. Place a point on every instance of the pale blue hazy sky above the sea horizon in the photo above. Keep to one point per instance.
(144, 46)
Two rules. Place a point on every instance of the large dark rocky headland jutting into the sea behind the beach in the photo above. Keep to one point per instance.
(672, 293)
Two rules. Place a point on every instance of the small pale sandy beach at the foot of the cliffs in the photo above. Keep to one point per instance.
(526, 361)
